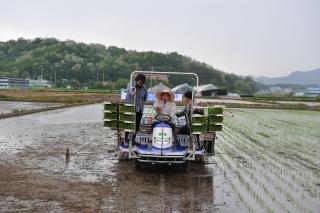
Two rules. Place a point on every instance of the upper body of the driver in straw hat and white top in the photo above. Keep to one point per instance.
(165, 104)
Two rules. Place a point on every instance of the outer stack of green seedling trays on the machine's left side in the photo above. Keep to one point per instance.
(111, 115)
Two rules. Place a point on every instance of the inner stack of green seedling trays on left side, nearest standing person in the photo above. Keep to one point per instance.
(127, 117)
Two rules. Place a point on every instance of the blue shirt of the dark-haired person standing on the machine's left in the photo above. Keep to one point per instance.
(141, 97)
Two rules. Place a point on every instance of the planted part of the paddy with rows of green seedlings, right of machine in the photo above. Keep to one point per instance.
(278, 170)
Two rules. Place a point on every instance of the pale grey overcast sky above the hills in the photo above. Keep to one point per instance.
(245, 37)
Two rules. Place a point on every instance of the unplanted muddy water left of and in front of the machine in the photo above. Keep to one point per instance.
(35, 175)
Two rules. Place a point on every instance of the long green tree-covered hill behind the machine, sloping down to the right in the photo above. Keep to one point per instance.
(81, 63)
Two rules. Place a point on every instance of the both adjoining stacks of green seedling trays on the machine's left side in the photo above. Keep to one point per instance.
(119, 116)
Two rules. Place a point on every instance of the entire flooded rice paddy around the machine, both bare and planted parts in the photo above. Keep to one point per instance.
(266, 160)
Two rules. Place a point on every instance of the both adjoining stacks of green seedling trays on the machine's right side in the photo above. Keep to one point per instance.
(211, 121)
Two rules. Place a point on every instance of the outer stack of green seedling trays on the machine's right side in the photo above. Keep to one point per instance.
(215, 118)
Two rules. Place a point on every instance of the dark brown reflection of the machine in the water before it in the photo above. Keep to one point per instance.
(162, 189)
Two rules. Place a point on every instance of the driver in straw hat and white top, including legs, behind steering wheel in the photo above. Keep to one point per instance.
(165, 105)
